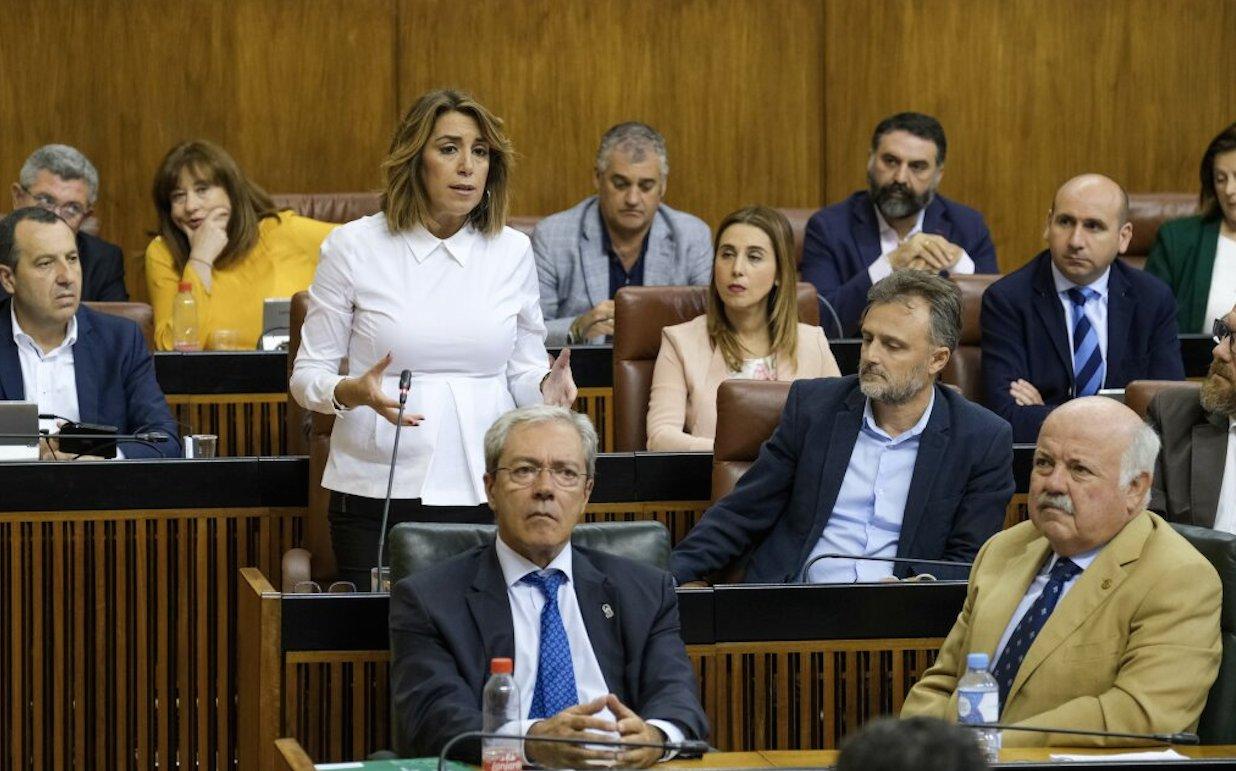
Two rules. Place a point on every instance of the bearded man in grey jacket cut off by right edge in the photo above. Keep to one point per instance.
(1196, 475)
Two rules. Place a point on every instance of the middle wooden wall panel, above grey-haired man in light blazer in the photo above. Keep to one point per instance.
(735, 86)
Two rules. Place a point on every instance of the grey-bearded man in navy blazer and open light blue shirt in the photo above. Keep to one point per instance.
(884, 464)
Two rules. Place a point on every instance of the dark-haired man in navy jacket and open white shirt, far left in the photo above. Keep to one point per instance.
(76, 364)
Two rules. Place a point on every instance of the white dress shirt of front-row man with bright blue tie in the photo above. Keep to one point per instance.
(526, 609)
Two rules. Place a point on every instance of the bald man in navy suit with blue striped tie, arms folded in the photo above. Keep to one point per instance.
(1076, 319)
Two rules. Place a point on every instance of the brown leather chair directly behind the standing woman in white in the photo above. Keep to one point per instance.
(310, 434)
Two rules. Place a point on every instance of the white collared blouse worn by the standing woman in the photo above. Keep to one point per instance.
(463, 314)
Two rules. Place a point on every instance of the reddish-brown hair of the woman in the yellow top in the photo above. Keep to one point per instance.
(211, 164)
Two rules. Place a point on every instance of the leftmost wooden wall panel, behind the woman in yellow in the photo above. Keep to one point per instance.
(301, 92)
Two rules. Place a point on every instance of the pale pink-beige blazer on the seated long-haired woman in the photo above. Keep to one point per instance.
(683, 407)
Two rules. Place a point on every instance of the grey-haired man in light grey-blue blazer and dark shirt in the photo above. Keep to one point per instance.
(624, 237)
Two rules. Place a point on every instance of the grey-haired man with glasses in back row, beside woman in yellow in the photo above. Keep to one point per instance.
(61, 180)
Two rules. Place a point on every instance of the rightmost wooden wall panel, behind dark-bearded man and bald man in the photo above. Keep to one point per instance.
(1031, 93)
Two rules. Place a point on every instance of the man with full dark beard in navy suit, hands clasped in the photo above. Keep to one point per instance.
(899, 223)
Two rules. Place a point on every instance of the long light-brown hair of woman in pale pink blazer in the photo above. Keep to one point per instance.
(783, 302)
